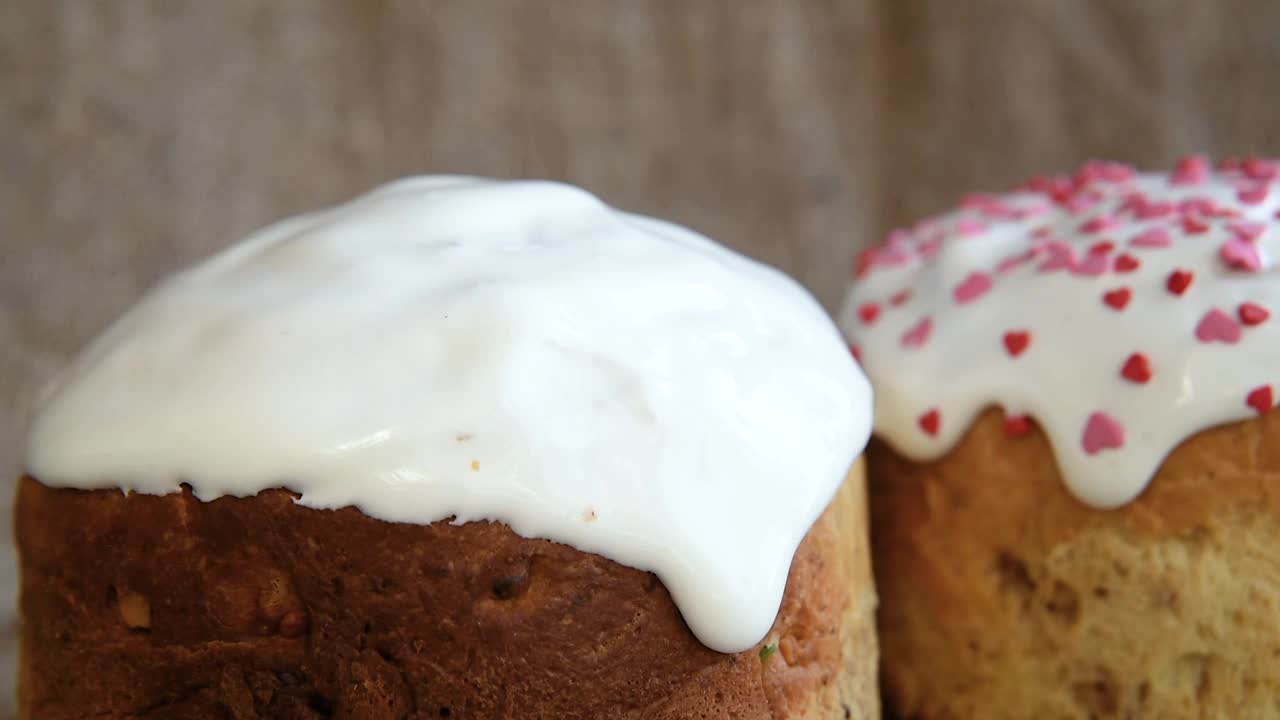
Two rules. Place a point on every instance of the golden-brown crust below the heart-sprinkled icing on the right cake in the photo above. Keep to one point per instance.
(1007, 598)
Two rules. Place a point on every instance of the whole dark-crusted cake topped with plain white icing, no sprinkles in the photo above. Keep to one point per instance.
(456, 449)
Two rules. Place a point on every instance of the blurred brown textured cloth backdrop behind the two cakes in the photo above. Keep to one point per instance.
(140, 135)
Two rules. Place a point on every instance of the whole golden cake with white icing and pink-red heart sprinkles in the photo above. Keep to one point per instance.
(1073, 480)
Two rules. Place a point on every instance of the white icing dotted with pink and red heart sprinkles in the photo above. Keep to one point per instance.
(1121, 312)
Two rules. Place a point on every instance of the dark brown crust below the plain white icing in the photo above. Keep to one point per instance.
(154, 608)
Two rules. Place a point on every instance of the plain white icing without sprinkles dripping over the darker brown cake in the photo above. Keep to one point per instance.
(477, 350)
